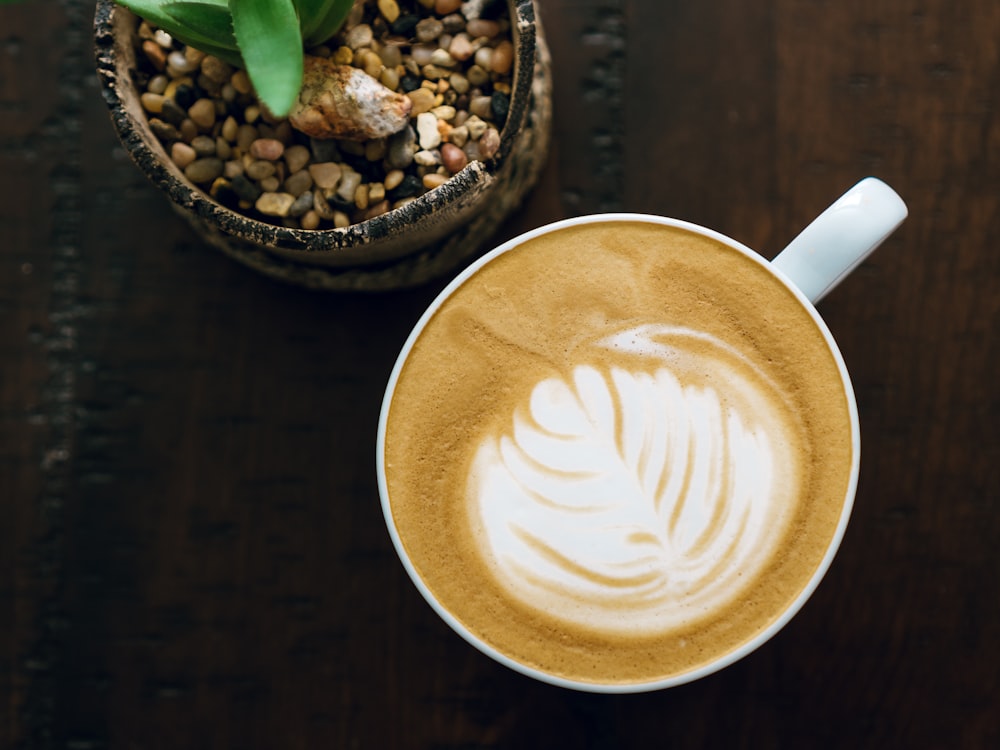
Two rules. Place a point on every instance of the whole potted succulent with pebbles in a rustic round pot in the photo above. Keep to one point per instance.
(295, 66)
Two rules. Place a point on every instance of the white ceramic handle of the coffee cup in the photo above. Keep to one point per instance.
(841, 237)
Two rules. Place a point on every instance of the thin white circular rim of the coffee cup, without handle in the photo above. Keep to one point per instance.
(726, 659)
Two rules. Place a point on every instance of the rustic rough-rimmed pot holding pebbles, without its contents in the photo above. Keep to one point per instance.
(406, 246)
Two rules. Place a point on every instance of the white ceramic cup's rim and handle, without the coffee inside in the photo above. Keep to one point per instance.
(813, 264)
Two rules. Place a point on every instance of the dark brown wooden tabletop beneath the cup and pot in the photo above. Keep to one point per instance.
(192, 553)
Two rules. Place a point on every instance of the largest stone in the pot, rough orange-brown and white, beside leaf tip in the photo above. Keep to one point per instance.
(338, 101)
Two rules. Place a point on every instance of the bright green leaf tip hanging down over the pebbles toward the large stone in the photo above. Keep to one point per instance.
(271, 44)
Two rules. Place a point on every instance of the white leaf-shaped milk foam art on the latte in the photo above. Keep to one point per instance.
(643, 490)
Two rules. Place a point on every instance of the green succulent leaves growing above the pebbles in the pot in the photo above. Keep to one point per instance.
(266, 37)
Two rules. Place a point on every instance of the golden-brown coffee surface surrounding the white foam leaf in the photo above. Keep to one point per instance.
(535, 313)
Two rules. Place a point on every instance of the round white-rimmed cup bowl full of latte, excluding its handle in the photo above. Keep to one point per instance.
(618, 453)
